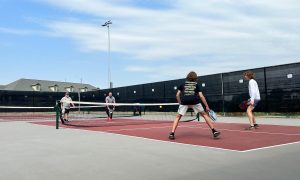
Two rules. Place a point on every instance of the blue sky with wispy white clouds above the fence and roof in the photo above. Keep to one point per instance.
(151, 40)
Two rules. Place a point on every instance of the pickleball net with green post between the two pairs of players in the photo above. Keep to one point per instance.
(93, 114)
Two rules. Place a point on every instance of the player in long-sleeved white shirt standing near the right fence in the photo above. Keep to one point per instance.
(254, 99)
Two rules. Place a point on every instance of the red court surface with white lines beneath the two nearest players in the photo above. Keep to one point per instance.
(233, 136)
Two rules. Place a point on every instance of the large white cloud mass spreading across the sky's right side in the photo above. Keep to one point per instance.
(222, 35)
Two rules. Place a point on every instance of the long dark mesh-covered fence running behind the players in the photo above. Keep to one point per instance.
(279, 87)
